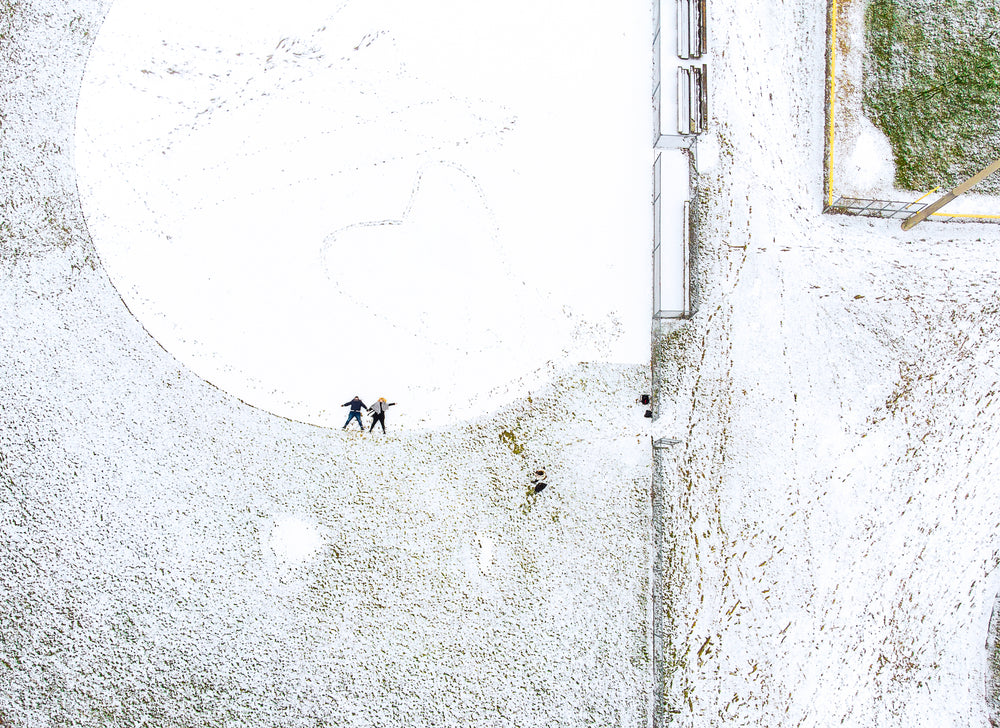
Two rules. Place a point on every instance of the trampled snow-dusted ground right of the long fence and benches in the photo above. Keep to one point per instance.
(830, 515)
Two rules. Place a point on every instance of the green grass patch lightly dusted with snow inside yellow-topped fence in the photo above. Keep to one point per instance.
(932, 85)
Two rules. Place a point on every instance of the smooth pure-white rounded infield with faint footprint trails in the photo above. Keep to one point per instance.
(303, 201)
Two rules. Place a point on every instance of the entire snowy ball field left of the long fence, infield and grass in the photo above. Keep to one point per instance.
(185, 541)
